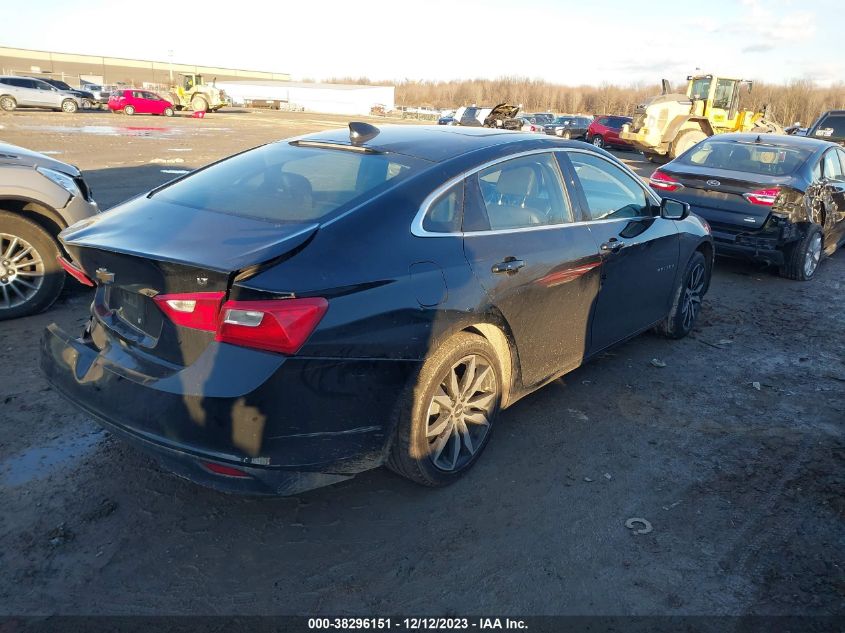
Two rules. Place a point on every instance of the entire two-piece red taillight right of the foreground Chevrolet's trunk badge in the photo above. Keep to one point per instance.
(277, 325)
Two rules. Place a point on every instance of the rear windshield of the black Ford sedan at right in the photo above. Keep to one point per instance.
(754, 158)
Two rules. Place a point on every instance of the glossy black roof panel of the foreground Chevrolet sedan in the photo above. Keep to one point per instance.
(434, 143)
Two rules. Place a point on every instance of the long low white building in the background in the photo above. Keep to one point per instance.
(312, 97)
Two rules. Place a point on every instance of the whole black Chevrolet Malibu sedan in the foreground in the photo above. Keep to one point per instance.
(315, 307)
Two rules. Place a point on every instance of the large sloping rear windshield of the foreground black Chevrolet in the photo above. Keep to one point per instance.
(281, 182)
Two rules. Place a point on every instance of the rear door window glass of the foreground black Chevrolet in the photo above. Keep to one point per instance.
(523, 193)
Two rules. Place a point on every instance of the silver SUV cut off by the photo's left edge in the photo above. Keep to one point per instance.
(39, 197)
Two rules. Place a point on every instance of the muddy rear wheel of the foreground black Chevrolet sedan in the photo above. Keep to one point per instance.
(448, 418)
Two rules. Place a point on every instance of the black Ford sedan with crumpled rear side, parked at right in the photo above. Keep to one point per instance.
(775, 198)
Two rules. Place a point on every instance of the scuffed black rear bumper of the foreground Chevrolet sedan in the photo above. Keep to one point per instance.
(295, 424)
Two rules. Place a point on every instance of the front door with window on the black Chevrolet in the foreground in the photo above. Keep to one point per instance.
(639, 249)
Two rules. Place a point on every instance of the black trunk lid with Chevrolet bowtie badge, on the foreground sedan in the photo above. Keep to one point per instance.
(190, 251)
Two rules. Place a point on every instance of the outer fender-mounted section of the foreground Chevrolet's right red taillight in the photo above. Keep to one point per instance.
(281, 325)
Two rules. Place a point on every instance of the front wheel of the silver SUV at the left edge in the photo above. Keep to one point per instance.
(30, 276)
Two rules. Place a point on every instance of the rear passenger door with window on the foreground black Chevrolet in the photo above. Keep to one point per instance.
(537, 266)
